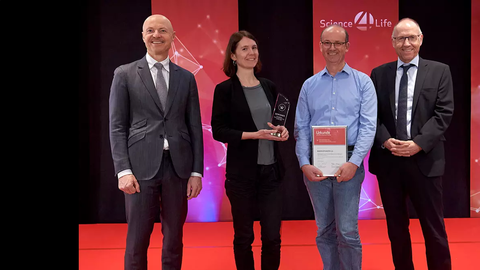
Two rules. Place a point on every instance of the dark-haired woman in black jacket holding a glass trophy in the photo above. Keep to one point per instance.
(242, 109)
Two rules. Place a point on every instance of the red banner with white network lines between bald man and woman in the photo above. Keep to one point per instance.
(203, 29)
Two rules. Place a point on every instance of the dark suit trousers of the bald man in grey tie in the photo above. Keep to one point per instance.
(164, 195)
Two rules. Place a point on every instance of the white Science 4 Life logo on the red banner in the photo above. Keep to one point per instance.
(363, 21)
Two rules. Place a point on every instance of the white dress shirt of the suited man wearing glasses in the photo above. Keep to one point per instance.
(412, 77)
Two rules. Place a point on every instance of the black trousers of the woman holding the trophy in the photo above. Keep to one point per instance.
(246, 198)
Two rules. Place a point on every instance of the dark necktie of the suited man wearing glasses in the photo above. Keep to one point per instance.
(402, 105)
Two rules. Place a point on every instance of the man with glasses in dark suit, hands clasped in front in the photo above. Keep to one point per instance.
(415, 107)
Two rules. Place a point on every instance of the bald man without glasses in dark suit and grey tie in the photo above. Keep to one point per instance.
(157, 145)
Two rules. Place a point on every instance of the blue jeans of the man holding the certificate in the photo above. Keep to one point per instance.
(336, 215)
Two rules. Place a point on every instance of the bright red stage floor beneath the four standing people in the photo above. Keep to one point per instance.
(208, 246)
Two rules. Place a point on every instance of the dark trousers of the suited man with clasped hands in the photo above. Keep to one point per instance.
(406, 180)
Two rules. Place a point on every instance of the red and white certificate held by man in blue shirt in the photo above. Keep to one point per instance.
(329, 148)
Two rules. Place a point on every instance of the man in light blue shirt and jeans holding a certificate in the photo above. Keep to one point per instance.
(337, 95)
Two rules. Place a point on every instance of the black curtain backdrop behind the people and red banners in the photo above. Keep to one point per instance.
(111, 36)
